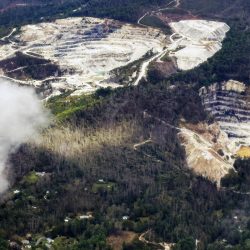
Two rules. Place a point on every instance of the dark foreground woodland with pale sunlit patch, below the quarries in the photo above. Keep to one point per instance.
(150, 185)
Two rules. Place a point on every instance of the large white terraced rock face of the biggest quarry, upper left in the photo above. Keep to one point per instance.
(86, 49)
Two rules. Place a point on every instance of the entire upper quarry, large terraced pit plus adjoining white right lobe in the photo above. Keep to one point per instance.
(81, 54)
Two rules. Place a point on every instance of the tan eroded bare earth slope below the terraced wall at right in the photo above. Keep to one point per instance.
(208, 149)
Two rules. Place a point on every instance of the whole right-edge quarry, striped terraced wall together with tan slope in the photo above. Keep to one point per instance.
(211, 149)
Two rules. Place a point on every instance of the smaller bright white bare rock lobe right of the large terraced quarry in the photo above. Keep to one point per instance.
(200, 40)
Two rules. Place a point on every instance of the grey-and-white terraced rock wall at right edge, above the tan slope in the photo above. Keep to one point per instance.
(229, 103)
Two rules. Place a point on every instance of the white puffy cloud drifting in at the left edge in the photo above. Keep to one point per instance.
(21, 117)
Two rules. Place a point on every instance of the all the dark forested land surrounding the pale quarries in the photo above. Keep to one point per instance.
(111, 171)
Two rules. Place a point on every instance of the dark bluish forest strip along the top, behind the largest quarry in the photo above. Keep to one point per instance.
(127, 10)
